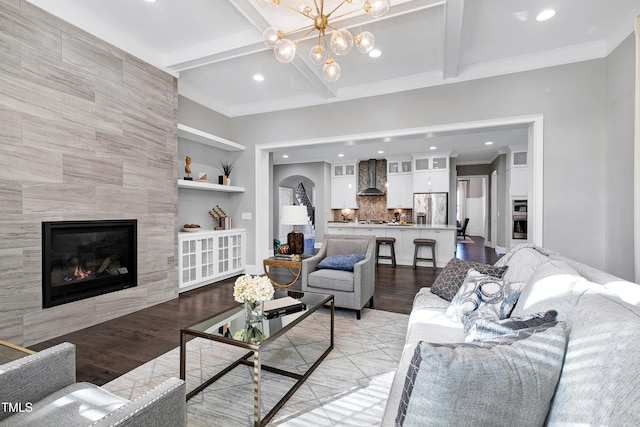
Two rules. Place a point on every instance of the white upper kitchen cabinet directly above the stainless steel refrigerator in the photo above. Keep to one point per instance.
(431, 173)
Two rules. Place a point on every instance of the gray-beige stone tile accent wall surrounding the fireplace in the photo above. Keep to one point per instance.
(86, 132)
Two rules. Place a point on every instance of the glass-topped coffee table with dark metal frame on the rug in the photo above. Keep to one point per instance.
(221, 327)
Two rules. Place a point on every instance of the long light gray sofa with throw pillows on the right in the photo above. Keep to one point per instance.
(588, 361)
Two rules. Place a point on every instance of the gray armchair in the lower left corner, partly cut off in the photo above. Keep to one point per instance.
(40, 390)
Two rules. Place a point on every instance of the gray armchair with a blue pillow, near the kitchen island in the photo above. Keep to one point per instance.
(351, 289)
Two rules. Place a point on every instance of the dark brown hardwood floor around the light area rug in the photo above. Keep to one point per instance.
(112, 348)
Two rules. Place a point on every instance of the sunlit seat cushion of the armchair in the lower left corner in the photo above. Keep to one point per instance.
(78, 404)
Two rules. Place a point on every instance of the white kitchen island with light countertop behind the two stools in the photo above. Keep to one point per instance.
(444, 235)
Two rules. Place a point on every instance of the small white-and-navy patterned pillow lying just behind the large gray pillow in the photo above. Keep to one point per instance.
(478, 328)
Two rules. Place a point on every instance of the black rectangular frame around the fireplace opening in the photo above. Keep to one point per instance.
(52, 297)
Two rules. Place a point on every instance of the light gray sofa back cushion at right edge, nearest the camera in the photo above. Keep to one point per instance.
(600, 380)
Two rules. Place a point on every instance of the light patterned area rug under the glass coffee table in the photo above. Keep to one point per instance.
(349, 388)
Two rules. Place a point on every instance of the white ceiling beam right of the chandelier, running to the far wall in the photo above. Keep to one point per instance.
(453, 17)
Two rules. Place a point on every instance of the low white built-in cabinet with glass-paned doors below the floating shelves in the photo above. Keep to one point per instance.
(210, 255)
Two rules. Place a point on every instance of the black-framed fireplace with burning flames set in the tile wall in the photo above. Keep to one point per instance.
(82, 259)
